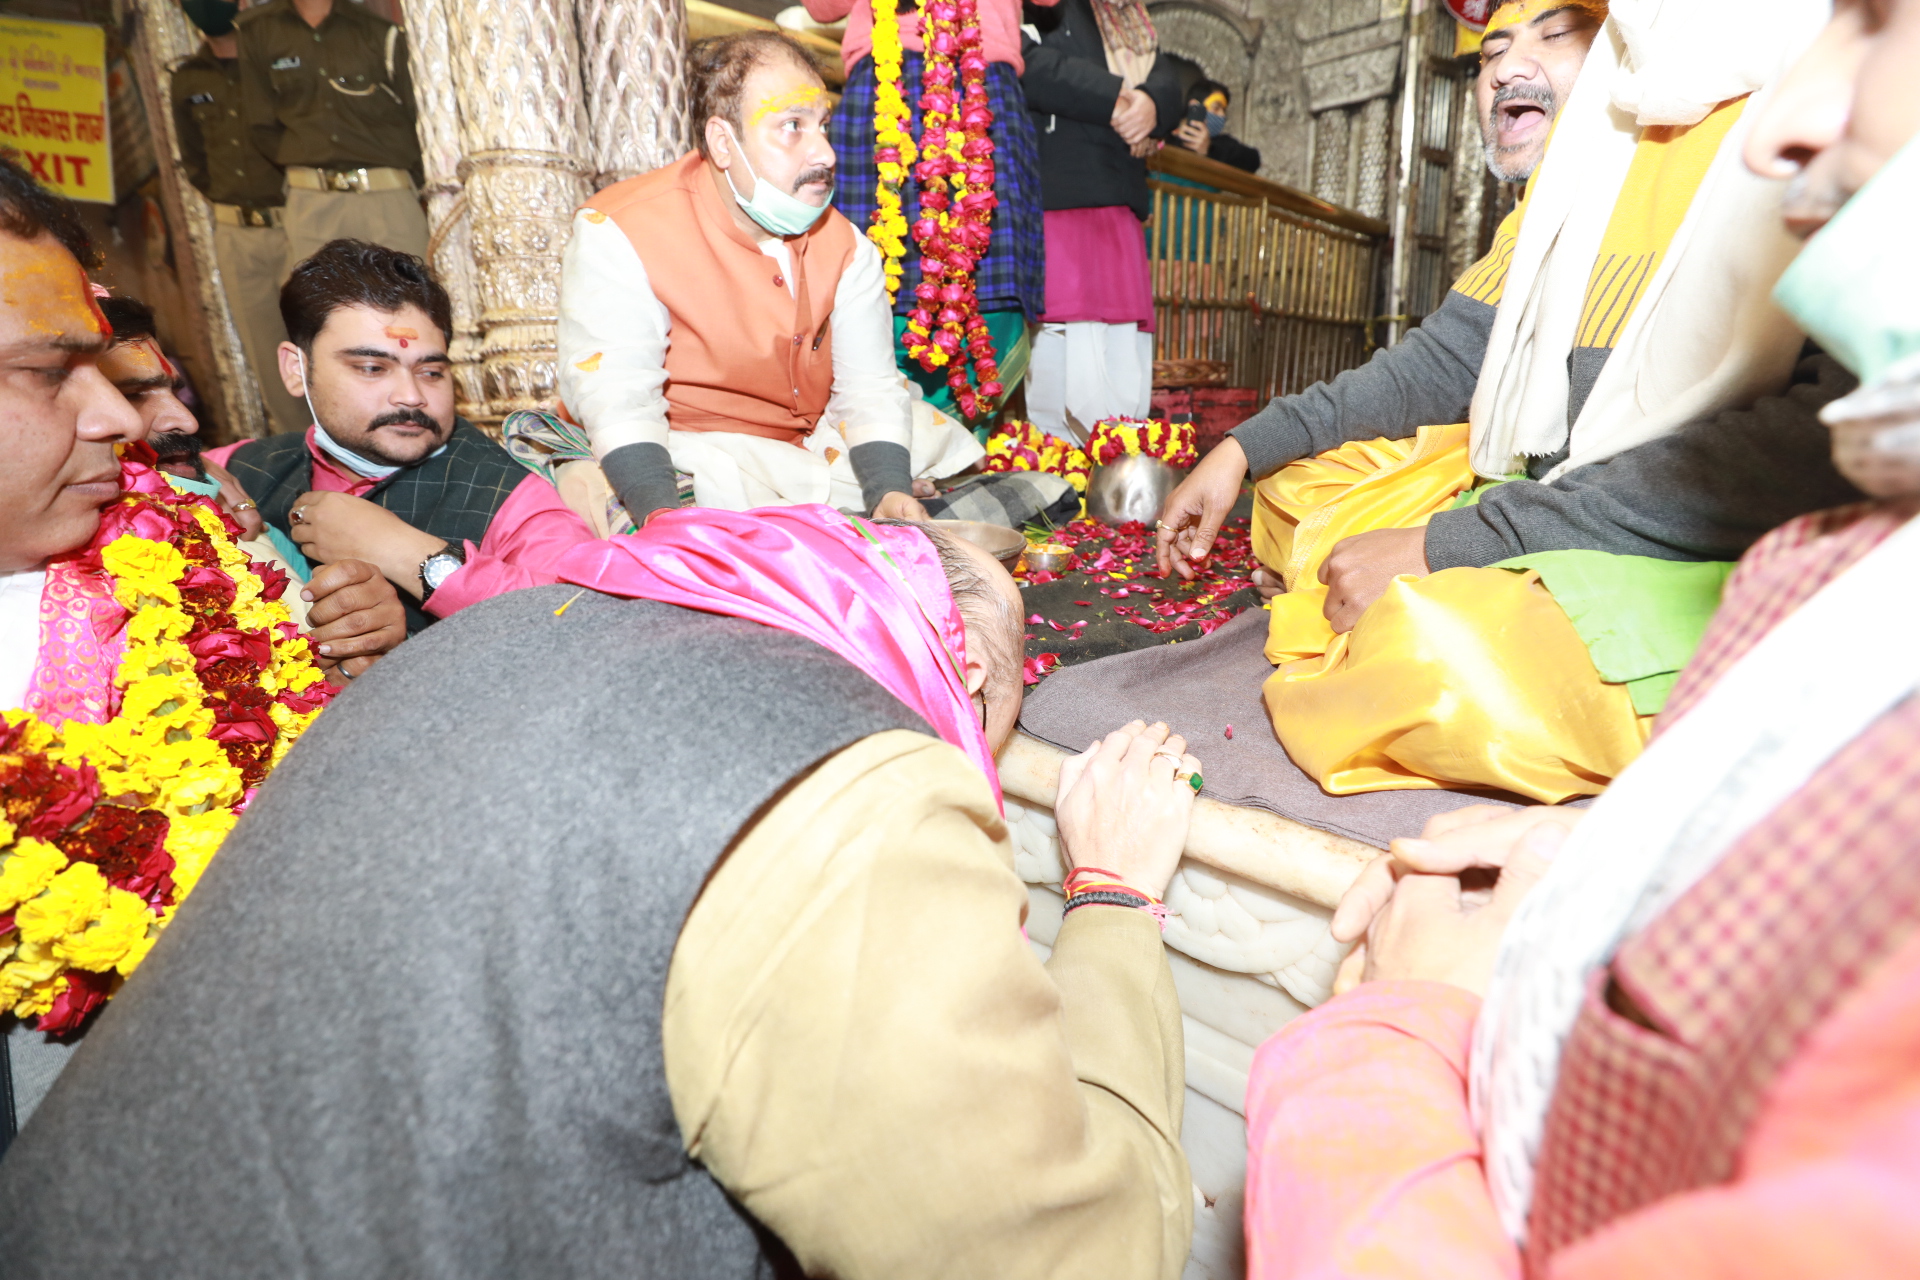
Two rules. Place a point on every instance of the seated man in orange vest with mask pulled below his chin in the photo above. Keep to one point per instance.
(721, 321)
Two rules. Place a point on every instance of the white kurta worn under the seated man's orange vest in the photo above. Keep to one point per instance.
(610, 310)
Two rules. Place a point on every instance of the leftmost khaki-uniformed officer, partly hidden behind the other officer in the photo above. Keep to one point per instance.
(247, 193)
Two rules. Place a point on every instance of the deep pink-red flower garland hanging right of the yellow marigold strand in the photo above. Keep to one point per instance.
(957, 202)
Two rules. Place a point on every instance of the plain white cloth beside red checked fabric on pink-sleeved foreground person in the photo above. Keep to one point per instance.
(1771, 721)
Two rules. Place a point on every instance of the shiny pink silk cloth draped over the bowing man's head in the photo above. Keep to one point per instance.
(873, 594)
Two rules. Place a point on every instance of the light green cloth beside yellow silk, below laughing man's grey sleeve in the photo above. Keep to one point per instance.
(1639, 617)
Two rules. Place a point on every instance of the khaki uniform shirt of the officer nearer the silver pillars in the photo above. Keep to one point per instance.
(324, 97)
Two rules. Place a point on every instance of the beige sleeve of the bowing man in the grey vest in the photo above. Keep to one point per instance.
(863, 1049)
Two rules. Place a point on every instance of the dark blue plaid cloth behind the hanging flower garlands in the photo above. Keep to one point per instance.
(1013, 277)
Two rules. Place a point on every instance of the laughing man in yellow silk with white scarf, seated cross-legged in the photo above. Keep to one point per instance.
(1504, 536)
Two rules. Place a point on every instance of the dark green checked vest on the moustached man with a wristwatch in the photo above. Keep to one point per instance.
(454, 494)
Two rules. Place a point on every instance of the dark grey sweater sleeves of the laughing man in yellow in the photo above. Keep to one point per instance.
(1700, 494)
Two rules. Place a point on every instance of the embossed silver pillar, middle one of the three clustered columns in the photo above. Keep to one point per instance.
(523, 128)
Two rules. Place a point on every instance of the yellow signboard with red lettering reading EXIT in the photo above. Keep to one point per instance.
(55, 105)
